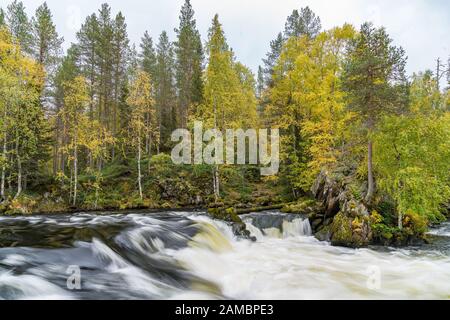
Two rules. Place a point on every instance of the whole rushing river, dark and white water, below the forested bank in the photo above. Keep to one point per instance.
(186, 255)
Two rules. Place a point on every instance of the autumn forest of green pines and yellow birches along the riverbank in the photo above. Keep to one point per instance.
(364, 147)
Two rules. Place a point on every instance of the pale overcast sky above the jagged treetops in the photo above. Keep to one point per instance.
(421, 27)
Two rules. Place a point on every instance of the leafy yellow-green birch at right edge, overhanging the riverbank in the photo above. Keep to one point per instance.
(413, 165)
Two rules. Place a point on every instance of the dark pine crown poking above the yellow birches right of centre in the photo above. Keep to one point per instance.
(305, 23)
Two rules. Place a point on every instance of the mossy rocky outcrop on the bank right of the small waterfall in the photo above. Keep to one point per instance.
(344, 219)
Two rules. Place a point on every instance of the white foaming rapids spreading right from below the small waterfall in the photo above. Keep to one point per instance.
(294, 265)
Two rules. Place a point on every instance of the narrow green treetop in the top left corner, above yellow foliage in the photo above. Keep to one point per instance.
(19, 25)
